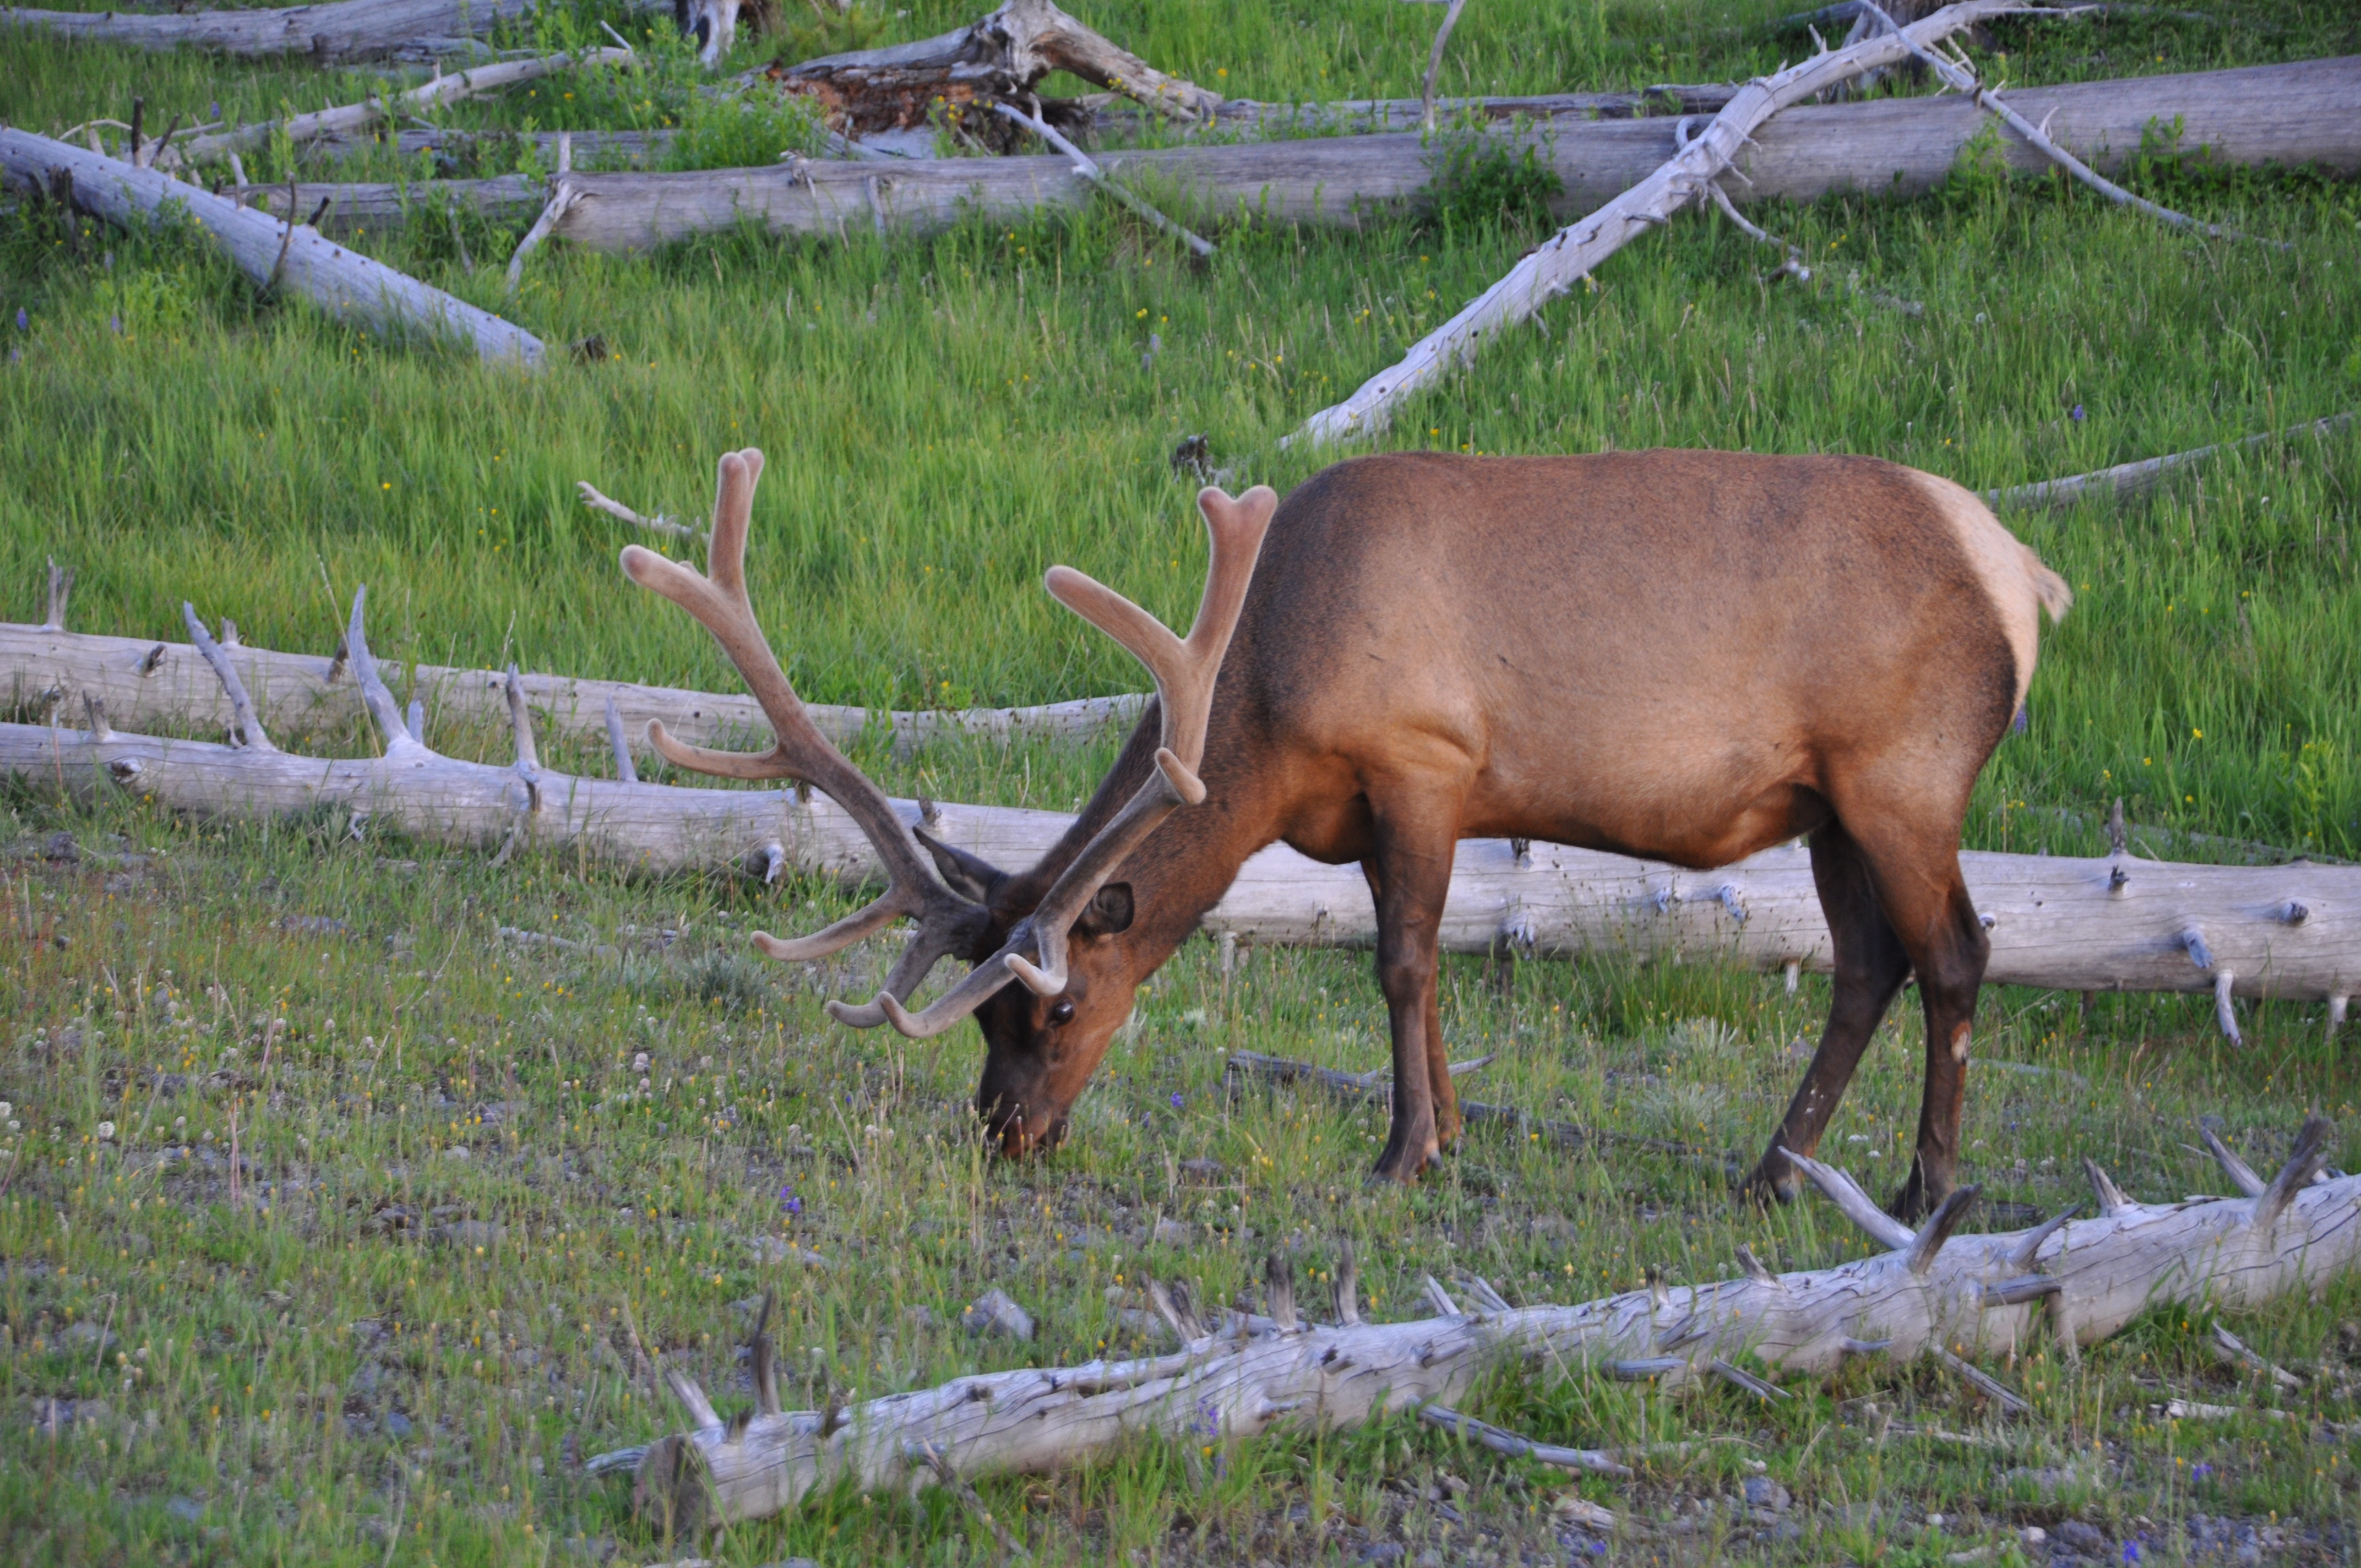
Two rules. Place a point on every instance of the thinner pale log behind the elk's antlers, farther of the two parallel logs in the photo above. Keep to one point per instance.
(166, 686)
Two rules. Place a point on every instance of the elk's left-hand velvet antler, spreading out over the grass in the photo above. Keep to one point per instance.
(717, 599)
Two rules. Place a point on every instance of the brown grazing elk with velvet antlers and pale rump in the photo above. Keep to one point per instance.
(1685, 655)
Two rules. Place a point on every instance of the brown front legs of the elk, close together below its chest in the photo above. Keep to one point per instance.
(1411, 873)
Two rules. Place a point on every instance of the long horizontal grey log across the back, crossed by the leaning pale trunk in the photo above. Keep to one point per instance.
(2258, 115)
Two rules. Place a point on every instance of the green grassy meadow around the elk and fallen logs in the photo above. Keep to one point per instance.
(329, 1217)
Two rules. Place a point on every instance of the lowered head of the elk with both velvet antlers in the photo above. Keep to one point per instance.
(1047, 1033)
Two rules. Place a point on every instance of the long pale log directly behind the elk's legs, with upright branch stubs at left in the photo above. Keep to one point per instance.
(2058, 922)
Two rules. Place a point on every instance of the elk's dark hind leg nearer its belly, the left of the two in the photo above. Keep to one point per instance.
(1871, 967)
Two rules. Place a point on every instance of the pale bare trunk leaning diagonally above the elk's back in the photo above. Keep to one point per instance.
(1574, 251)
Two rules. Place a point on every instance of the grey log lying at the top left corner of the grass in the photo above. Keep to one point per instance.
(344, 32)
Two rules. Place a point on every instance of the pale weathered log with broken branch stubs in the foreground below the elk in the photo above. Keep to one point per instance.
(1930, 1293)
